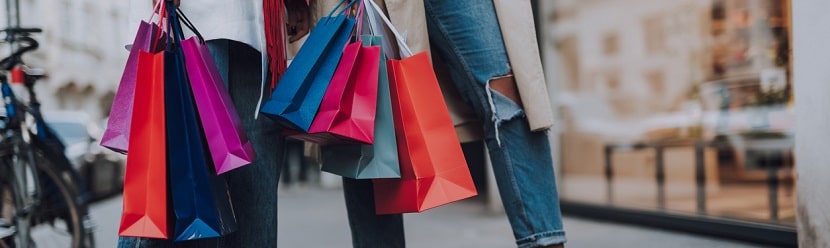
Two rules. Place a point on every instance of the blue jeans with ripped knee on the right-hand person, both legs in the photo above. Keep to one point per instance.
(466, 35)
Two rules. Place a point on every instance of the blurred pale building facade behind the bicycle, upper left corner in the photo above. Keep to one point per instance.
(82, 51)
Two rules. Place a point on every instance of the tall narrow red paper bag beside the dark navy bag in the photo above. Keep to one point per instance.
(145, 181)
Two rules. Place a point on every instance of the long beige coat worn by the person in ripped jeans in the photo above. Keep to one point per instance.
(518, 29)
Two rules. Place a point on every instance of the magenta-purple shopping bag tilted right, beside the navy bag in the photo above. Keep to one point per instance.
(229, 146)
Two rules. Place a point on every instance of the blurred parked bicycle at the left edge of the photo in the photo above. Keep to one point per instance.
(43, 202)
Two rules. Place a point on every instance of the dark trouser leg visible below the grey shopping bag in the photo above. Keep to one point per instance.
(370, 230)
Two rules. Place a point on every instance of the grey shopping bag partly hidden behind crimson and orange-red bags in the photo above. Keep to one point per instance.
(379, 160)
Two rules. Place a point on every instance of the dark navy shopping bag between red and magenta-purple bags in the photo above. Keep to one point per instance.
(200, 198)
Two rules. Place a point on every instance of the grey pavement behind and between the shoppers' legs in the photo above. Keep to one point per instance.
(314, 218)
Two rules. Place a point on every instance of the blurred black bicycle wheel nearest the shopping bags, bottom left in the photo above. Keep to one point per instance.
(60, 219)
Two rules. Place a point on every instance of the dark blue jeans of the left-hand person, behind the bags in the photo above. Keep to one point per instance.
(253, 188)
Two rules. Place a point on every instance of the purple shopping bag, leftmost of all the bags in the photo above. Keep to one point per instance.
(117, 135)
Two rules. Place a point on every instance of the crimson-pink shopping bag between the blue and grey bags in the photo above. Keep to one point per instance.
(347, 112)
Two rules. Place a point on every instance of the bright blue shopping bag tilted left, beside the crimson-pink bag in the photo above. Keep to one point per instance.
(297, 97)
